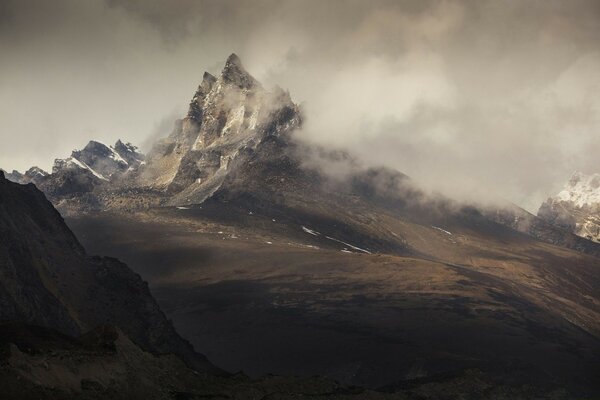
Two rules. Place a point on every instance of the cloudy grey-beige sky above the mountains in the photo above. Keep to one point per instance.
(472, 97)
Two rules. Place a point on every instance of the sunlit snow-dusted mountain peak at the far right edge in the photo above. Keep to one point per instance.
(577, 207)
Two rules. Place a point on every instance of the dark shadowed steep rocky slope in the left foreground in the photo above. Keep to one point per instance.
(48, 280)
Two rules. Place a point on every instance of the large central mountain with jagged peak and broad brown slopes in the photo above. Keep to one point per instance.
(276, 256)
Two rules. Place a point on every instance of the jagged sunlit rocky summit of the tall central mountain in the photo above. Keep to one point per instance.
(228, 117)
